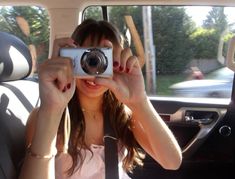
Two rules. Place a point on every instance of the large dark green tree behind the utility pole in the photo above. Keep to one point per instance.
(171, 27)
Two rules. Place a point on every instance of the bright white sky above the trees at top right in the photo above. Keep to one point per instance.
(199, 13)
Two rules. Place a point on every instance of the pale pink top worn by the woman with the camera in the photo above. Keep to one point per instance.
(92, 168)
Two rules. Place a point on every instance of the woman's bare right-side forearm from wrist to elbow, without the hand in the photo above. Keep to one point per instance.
(154, 136)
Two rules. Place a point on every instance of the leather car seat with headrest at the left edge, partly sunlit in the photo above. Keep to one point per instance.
(18, 96)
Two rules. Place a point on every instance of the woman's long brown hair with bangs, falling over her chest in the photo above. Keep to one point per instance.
(119, 118)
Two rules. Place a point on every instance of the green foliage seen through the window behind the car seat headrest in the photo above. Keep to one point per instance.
(38, 21)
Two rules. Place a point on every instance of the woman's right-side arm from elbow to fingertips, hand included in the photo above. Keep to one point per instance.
(149, 129)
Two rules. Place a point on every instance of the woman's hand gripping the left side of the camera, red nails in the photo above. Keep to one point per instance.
(56, 81)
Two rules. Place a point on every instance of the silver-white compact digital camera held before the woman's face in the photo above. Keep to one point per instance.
(90, 62)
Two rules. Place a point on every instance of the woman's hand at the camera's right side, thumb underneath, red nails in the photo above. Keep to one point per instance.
(127, 83)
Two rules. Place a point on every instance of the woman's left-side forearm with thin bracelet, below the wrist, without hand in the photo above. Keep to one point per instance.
(42, 139)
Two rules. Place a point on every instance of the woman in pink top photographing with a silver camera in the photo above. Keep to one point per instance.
(123, 97)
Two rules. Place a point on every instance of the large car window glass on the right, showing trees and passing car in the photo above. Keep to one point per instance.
(185, 47)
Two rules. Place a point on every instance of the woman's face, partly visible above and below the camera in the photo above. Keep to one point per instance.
(87, 87)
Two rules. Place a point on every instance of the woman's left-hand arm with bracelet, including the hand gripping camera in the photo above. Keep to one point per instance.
(56, 88)
